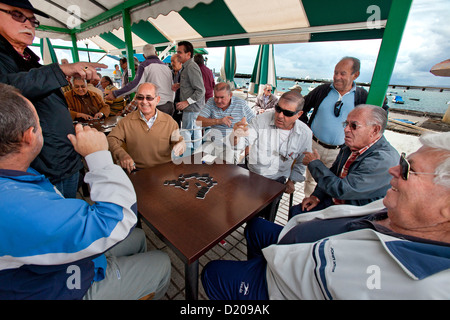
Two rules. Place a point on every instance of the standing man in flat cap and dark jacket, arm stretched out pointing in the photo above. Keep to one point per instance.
(20, 67)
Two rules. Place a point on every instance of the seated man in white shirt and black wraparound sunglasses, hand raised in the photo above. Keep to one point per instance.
(276, 142)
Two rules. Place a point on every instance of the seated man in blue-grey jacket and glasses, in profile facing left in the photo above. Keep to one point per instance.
(359, 175)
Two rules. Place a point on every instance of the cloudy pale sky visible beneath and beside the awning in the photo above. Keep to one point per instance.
(426, 41)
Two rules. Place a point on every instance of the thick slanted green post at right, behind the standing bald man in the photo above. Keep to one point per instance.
(387, 55)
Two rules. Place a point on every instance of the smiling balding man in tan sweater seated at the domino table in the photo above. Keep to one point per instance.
(149, 135)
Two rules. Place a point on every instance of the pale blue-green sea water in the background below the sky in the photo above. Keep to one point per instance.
(430, 100)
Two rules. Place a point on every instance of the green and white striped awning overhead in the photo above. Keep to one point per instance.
(212, 23)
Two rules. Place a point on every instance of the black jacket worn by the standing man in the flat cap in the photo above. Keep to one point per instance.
(42, 86)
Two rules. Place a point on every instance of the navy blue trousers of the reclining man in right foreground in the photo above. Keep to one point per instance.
(243, 280)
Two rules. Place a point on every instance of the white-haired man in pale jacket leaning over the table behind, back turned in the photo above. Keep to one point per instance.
(151, 70)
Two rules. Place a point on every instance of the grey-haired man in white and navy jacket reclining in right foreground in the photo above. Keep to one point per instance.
(393, 248)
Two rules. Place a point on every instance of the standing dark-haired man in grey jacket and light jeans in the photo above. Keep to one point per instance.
(192, 95)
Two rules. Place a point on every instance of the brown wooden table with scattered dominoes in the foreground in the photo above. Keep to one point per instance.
(191, 226)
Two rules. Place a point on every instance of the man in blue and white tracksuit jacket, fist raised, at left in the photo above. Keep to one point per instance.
(57, 248)
